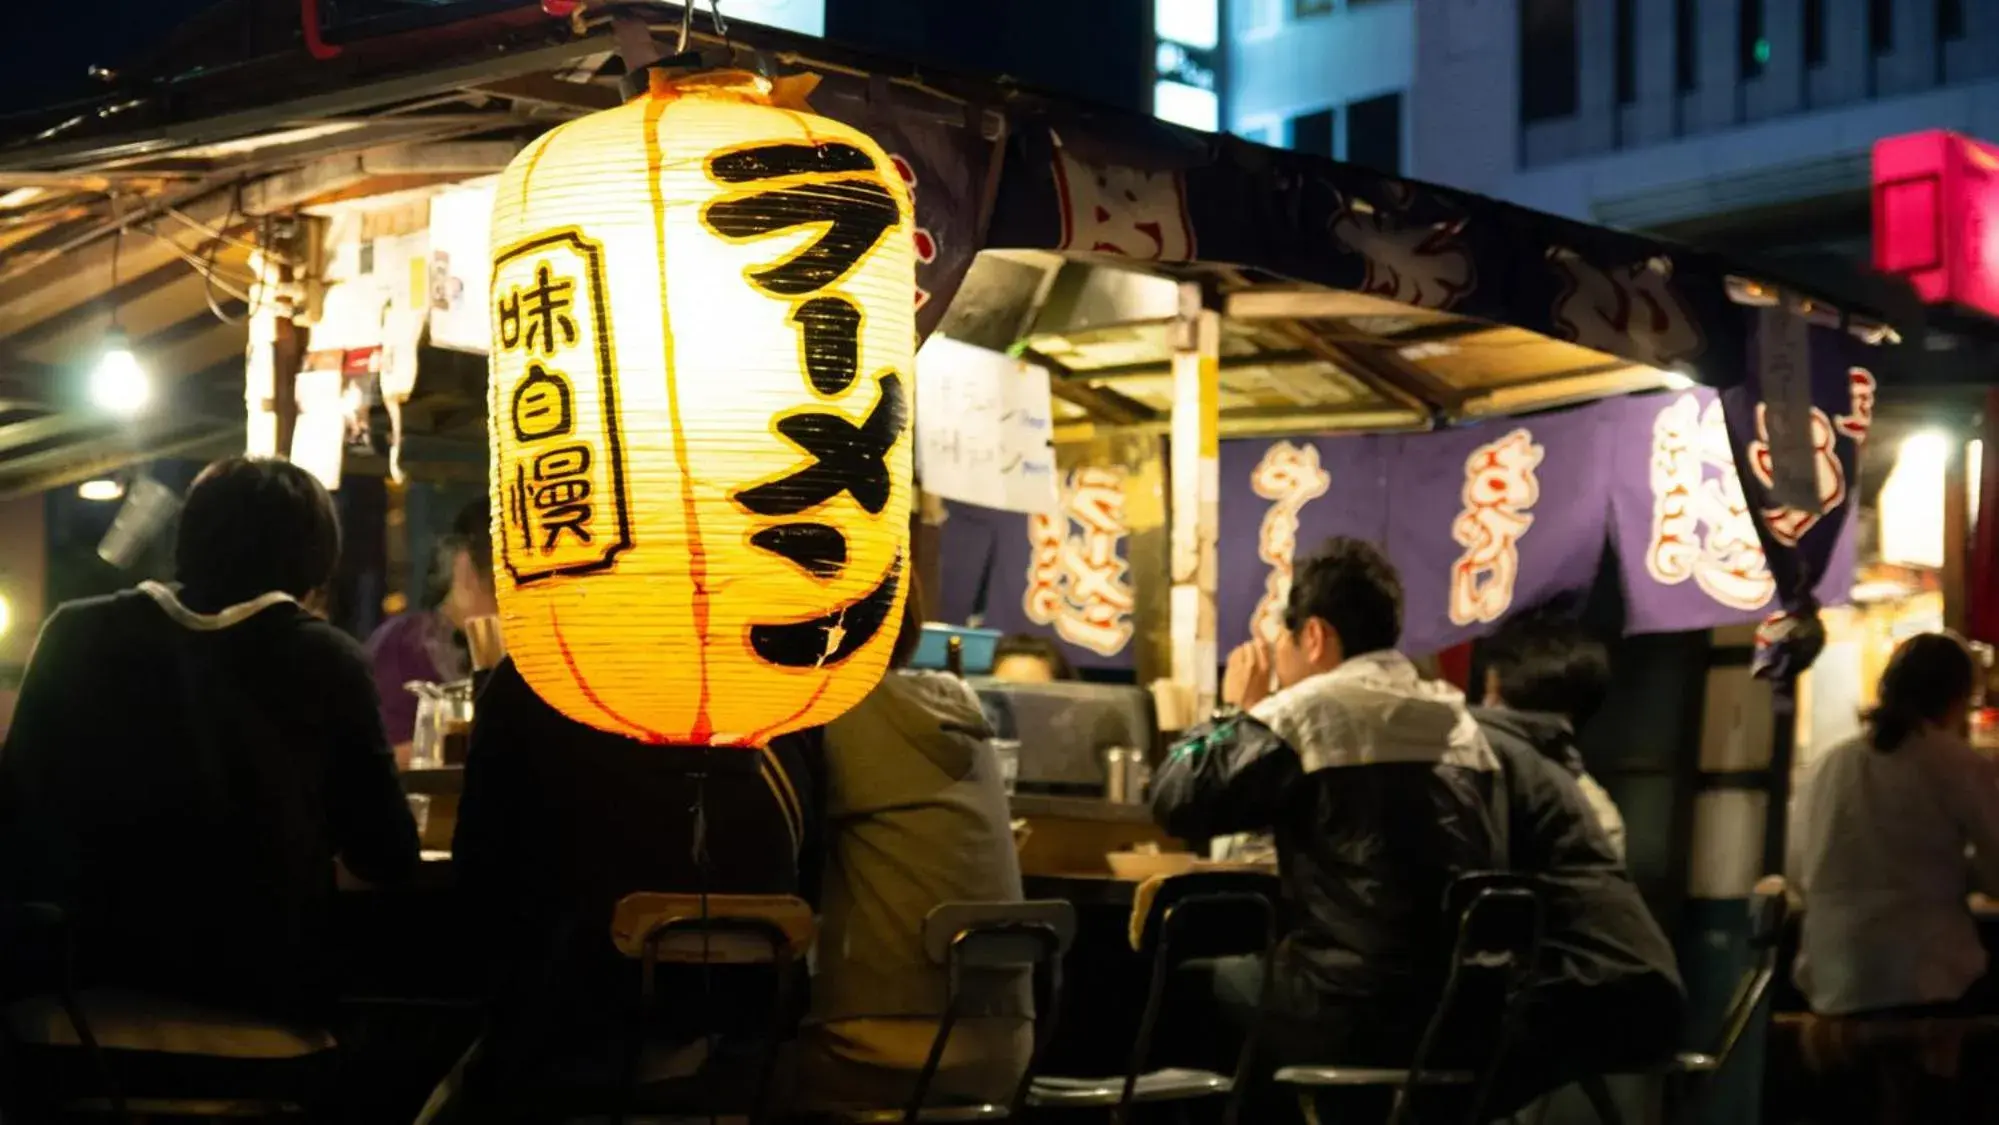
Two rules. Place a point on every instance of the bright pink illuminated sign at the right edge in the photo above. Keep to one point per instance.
(1936, 217)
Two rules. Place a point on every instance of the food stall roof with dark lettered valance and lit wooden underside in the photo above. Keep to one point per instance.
(1348, 301)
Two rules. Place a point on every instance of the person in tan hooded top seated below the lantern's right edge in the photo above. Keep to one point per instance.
(917, 818)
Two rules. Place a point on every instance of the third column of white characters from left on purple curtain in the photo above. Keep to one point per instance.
(1498, 509)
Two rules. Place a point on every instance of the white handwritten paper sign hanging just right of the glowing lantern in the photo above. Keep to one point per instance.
(985, 429)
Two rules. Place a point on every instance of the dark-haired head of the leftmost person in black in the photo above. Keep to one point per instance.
(253, 527)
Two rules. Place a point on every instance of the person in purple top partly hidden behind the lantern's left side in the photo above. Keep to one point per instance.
(429, 644)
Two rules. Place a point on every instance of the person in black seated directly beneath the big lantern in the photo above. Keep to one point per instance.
(557, 824)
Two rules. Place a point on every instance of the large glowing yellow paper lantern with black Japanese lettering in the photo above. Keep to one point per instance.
(701, 393)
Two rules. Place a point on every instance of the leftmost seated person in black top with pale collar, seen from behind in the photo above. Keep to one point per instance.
(187, 762)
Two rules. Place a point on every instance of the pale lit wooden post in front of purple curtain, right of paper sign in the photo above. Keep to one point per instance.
(1196, 495)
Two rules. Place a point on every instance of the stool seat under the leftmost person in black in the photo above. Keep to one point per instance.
(139, 1022)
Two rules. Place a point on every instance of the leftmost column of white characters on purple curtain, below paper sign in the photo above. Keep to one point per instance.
(1076, 572)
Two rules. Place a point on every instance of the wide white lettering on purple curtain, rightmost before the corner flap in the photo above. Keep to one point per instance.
(1702, 527)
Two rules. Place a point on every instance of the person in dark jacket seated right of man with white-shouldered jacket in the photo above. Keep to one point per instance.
(1608, 994)
